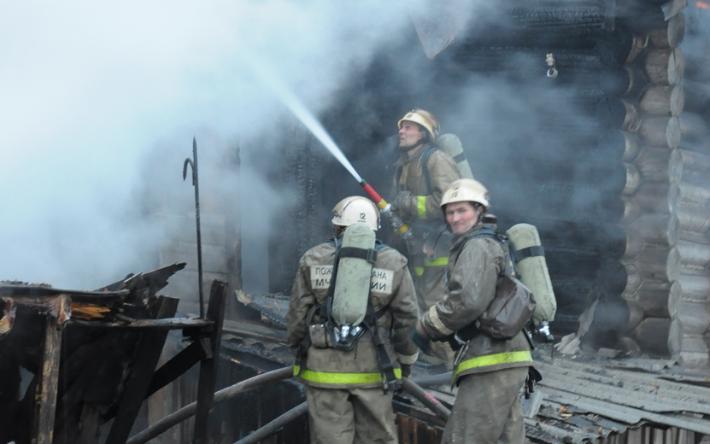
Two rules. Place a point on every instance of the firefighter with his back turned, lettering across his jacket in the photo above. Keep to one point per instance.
(350, 375)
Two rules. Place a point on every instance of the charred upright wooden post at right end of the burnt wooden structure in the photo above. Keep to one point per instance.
(208, 367)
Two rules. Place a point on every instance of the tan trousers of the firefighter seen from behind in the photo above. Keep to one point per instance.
(350, 416)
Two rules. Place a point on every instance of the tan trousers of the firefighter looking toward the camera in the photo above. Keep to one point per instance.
(487, 409)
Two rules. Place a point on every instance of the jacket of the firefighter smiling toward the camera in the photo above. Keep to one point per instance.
(474, 267)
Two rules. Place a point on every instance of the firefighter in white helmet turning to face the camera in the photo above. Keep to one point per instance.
(490, 373)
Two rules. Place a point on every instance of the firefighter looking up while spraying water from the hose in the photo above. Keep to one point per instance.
(422, 174)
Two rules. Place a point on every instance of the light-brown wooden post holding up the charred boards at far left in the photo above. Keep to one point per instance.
(46, 401)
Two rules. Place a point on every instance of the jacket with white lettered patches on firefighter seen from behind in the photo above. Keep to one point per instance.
(392, 294)
